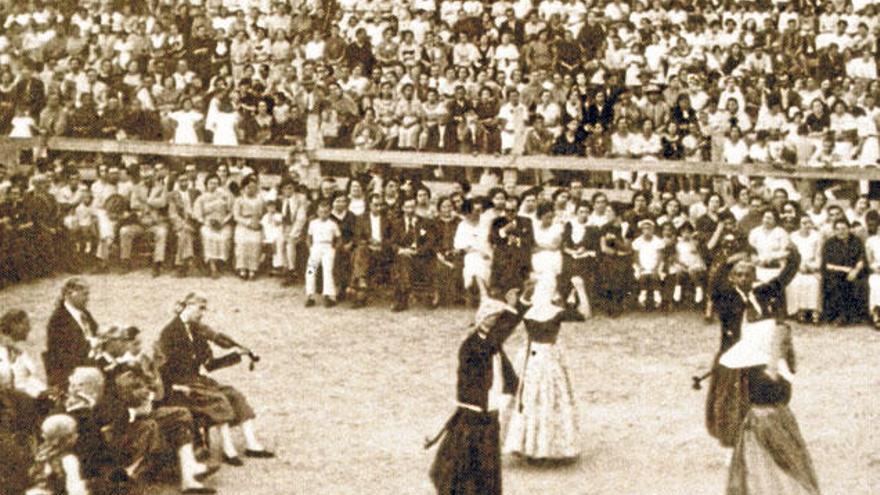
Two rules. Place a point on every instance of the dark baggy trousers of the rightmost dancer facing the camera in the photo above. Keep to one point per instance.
(727, 403)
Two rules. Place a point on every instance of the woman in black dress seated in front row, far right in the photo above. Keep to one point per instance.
(844, 279)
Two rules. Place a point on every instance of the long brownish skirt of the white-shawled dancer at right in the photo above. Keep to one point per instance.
(771, 457)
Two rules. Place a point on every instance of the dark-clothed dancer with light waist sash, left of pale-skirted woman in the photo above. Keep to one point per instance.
(468, 460)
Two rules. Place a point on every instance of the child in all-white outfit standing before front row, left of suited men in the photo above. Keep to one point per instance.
(323, 234)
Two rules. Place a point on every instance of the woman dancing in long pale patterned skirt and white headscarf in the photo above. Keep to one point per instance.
(543, 424)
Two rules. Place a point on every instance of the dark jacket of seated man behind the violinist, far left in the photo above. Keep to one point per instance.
(66, 345)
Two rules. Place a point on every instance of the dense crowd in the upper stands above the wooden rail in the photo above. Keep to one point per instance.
(731, 81)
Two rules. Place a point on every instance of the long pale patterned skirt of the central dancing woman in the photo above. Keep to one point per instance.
(545, 426)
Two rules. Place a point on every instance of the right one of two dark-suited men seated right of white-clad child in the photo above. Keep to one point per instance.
(412, 239)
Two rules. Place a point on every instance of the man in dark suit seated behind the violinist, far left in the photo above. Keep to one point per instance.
(69, 334)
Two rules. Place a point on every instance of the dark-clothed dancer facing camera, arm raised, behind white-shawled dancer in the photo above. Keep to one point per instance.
(739, 304)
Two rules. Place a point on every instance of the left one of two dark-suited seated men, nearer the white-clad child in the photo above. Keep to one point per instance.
(372, 248)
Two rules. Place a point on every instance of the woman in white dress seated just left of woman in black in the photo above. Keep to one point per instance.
(803, 297)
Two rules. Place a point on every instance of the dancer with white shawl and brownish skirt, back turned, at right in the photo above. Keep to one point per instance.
(770, 457)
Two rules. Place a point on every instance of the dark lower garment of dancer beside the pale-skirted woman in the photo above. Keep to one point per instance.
(468, 461)
